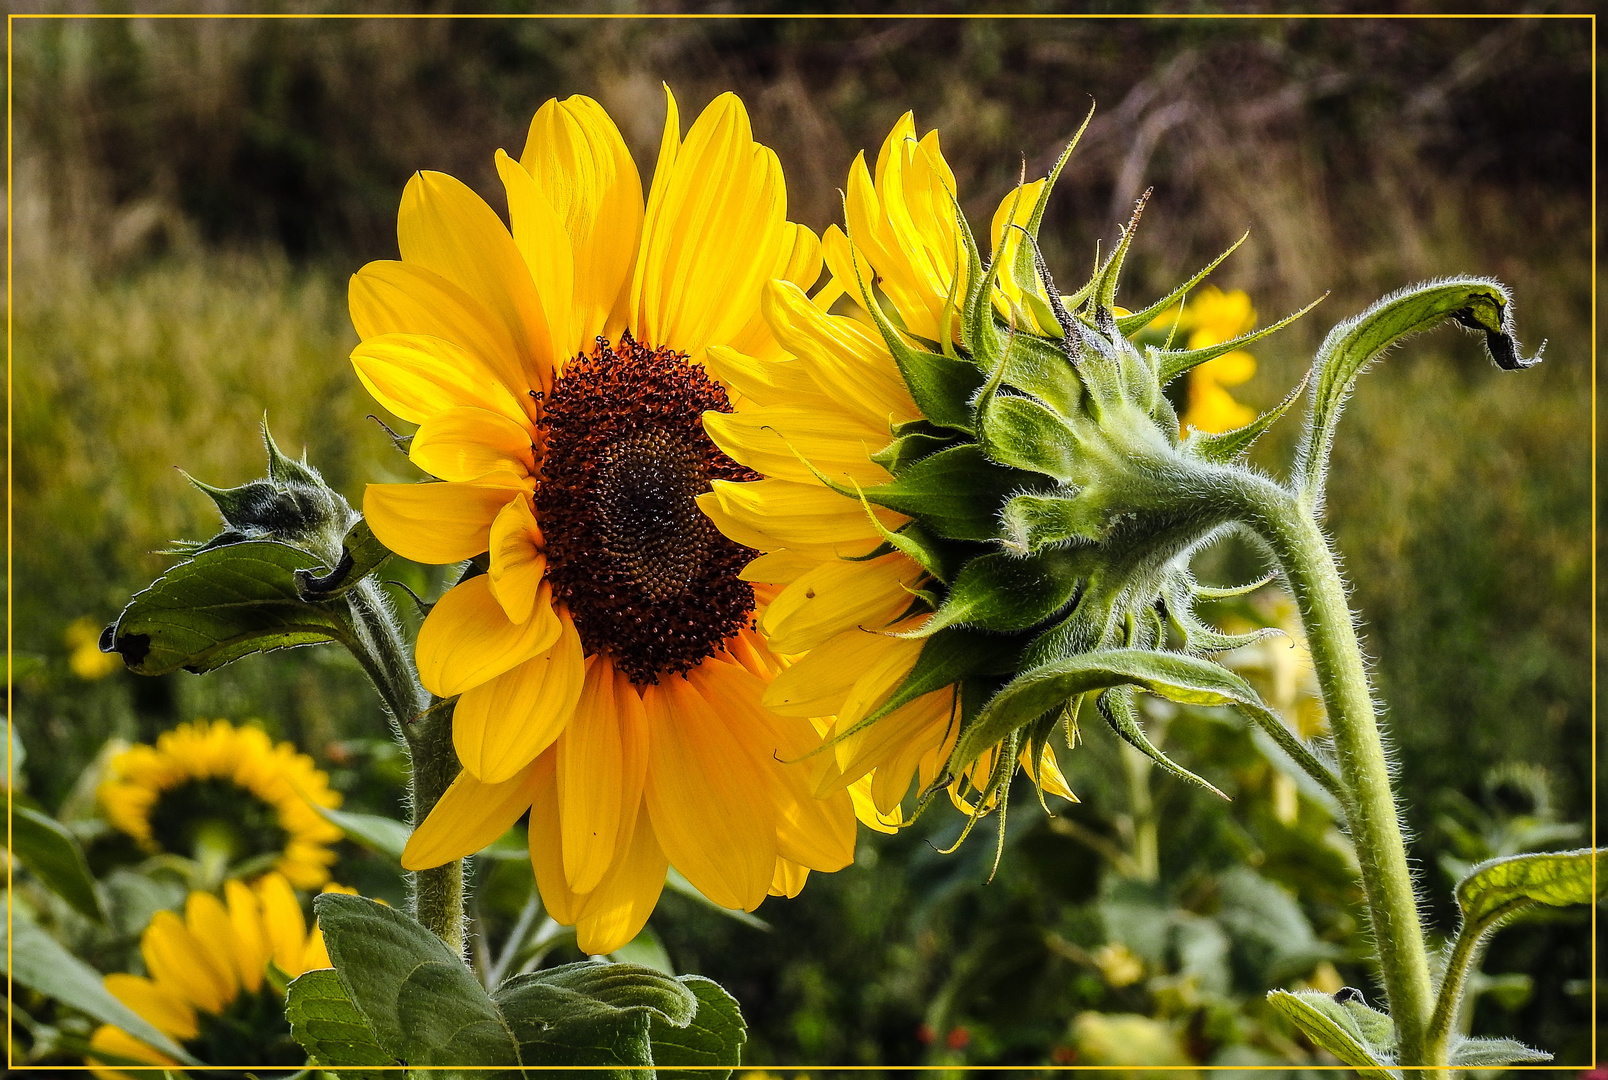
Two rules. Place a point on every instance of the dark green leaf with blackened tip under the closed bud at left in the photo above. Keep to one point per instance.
(224, 605)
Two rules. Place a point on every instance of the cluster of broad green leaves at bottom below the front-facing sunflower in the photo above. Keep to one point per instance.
(420, 1005)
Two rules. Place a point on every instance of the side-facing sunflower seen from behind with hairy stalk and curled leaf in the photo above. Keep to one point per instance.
(1028, 509)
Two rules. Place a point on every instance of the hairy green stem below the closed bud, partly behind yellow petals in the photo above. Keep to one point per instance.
(425, 727)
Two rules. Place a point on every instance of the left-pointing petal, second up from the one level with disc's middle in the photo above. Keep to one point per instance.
(417, 377)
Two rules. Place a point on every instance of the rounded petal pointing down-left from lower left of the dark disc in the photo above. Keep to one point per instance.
(502, 724)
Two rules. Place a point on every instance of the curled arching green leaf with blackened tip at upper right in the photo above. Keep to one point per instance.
(1480, 305)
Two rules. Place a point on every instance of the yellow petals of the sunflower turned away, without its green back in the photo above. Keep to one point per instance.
(821, 423)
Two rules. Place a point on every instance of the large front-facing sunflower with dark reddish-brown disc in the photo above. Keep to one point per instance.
(601, 647)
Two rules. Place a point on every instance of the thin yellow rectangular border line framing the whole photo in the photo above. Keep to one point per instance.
(580, 17)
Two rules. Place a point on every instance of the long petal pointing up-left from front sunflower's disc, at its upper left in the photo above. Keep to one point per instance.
(448, 229)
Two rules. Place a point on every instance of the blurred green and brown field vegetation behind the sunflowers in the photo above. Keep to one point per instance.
(191, 198)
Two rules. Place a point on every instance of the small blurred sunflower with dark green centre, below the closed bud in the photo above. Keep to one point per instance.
(213, 792)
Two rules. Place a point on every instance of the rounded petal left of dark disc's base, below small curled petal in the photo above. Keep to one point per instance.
(469, 639)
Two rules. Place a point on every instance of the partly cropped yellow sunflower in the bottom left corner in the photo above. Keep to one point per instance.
(207, 983)
